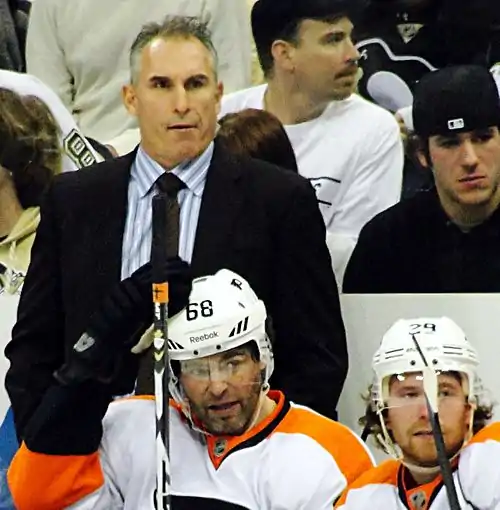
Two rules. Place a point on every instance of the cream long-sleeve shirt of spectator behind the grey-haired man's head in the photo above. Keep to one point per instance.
(80, 48)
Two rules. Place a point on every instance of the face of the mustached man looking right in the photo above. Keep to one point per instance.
(325, 60)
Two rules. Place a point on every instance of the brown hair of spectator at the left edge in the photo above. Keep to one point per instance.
(29, 145)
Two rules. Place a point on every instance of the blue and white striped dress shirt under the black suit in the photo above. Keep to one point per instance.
(136, 248)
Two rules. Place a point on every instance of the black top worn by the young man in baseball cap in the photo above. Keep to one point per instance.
(414, 247)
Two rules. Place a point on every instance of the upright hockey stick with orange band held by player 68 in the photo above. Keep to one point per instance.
(162, 498)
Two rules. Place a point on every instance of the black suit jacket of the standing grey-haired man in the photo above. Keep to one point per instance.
(256, 219)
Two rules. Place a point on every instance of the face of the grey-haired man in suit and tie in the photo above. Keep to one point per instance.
(176, 99)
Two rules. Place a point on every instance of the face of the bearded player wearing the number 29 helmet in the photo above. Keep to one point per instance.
(408, 418)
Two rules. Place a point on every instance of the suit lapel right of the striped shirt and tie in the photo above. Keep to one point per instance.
(221, 203)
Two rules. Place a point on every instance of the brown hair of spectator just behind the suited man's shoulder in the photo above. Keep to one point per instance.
(257, 134)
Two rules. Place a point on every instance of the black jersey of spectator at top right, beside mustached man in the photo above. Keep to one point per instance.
(452, 33)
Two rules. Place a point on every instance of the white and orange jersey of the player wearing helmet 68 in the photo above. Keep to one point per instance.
(294, 459)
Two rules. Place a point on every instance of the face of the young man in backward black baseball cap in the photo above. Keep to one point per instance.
(466, 166)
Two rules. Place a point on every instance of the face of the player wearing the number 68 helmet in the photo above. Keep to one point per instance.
(223, 390)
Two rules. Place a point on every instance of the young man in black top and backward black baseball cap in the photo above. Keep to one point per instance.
(446, 239)
